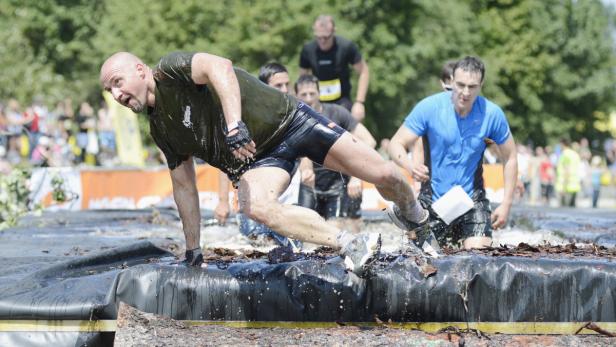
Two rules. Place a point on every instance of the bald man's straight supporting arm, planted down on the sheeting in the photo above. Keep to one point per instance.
(187, 199)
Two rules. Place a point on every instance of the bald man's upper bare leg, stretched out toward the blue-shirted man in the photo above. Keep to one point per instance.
(352, 157)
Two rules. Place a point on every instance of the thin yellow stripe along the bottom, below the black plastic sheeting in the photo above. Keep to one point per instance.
(512, 328)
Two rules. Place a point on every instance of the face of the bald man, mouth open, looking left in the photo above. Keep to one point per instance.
(127, 85)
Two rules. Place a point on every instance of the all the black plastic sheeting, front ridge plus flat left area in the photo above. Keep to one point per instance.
(59, 285)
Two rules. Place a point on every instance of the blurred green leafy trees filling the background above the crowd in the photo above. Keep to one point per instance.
(550, 63)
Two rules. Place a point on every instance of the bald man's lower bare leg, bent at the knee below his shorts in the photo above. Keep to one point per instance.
(258, 194)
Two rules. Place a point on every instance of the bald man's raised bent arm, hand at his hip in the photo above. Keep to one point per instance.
(218, 72)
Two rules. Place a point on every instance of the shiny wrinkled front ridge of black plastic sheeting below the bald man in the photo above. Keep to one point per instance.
(469, 288)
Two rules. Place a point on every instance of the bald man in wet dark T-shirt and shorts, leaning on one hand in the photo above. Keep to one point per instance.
(199, 105)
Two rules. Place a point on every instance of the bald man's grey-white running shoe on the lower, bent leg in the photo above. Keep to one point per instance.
(359, 251)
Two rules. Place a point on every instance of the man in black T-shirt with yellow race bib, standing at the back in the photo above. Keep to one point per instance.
(328, 58)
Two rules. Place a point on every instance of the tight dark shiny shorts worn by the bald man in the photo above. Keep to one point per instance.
(309, 135)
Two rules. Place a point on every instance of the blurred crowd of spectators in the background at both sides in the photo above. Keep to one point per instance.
(66, 135)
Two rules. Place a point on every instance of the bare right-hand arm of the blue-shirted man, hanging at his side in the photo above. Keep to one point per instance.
(509, 158)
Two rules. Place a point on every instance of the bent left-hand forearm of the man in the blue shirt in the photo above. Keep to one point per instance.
(399, 145)
